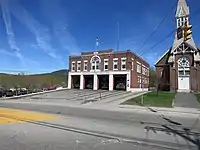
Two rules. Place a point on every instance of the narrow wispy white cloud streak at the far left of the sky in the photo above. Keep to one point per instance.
(9, 30)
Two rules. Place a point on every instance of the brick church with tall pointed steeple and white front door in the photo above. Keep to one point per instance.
(179, 67)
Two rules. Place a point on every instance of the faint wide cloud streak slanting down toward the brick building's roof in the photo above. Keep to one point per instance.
(61, 30)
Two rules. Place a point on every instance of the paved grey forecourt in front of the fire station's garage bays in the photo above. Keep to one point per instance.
(75, 97)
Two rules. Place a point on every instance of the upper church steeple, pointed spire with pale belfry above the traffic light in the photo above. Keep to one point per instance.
(182, 13)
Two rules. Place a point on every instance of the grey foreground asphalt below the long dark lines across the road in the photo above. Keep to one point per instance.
(24, 136)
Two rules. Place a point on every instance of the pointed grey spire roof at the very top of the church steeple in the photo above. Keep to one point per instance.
(182, 9)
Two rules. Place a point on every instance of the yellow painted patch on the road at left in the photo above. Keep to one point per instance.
(15, 115)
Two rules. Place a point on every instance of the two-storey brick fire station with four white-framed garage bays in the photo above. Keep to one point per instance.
(108, 70)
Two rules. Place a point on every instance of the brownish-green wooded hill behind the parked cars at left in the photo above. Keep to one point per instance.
(34, 81)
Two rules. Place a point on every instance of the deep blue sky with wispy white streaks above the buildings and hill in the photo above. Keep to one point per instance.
(38, 36)
